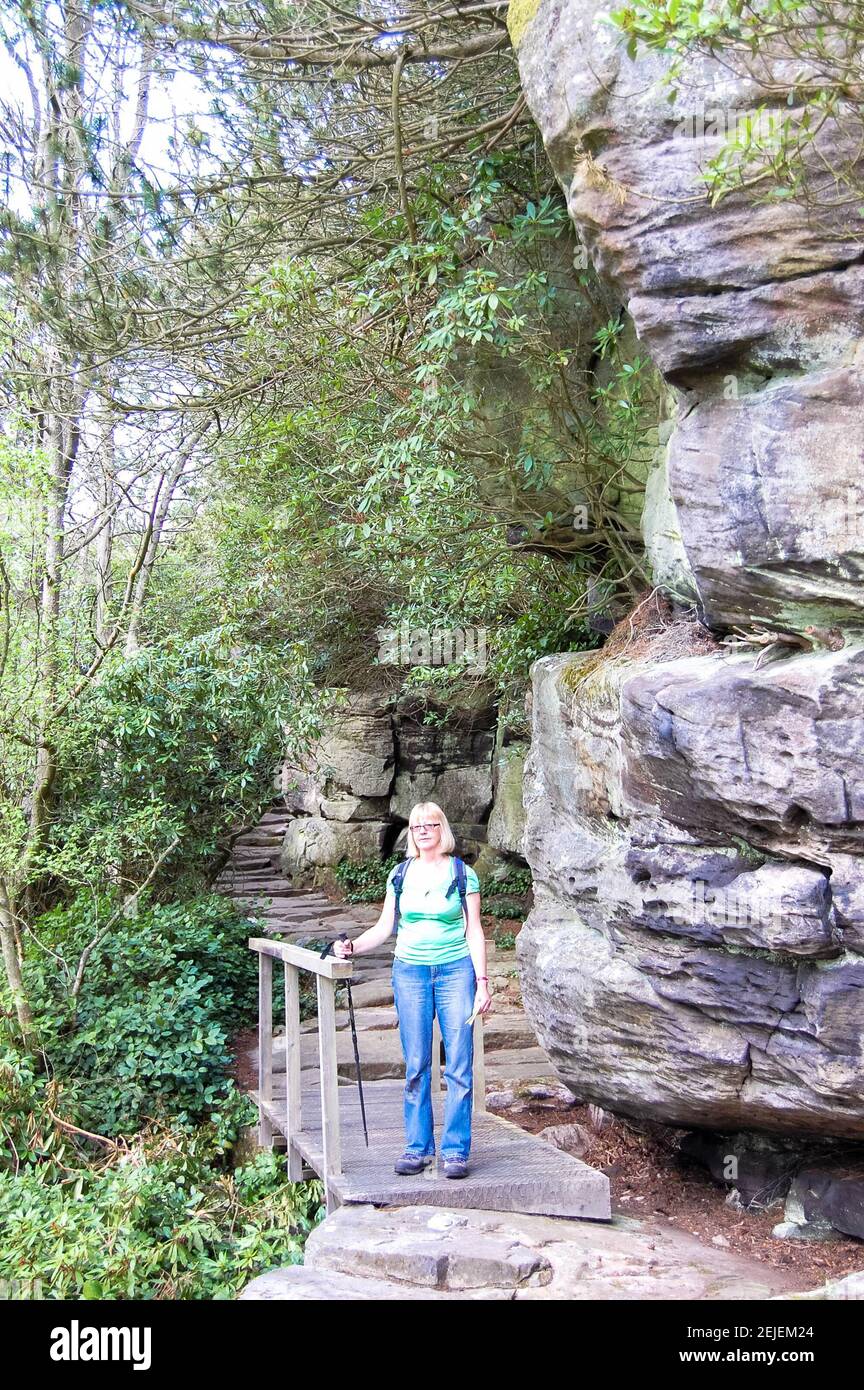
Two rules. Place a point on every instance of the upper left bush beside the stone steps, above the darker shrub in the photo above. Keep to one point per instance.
(173, 747)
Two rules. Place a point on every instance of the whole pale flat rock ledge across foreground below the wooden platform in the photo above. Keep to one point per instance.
(429, 1250)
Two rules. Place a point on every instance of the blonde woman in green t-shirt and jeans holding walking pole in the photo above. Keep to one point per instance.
(440, 968)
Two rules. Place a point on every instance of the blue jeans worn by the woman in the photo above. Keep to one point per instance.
(423, 992)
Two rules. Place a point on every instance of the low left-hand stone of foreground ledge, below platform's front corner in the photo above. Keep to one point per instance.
(434, 1252)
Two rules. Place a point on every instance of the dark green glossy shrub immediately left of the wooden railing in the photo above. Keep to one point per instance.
(162, 995)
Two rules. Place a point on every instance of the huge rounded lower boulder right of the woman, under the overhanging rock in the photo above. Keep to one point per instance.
(687, 960)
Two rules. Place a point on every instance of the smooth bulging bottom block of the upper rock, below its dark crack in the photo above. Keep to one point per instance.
(769, 504)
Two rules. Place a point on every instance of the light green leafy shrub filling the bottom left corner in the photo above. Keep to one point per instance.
(165, 1218)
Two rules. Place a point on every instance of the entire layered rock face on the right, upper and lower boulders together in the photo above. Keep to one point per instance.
(695, 826)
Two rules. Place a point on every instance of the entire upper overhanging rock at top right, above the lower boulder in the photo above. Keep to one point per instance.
(755, 312)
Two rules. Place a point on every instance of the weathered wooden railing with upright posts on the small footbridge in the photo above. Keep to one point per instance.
(329, 972)
